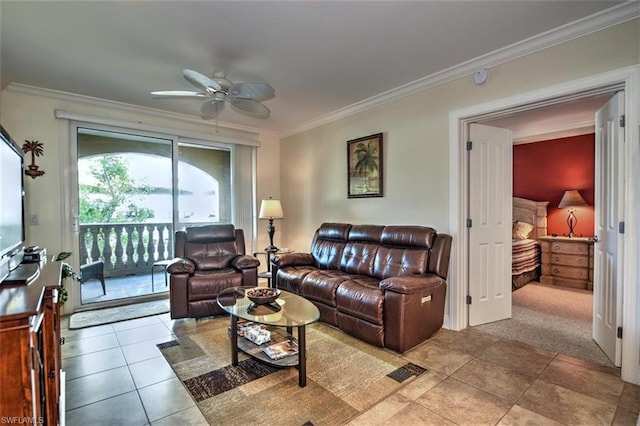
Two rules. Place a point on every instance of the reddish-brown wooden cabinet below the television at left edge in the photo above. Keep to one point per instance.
(30, 359)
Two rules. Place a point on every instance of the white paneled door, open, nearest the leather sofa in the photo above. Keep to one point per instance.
(490, 213)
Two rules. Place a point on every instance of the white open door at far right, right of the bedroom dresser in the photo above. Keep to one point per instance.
(607, 294)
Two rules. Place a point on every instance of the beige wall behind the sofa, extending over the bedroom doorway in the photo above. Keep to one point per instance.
(416, 140)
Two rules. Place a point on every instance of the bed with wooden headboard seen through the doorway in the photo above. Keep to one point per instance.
(529, 223)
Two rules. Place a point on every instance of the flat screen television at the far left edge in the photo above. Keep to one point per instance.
(12, 226)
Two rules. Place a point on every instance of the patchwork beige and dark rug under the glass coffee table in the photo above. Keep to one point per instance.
(344, 377)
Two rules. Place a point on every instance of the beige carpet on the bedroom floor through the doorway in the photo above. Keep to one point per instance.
(553, 318)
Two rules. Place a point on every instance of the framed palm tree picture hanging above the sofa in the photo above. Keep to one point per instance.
(364, 166)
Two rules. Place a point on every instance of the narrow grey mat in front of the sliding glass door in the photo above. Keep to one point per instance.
(116, 314)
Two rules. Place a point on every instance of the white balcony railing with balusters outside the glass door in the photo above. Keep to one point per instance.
(126, 248)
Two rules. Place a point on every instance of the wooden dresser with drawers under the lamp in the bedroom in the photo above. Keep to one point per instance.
(567, 262)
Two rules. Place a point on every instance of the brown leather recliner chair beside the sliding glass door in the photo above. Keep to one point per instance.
(209, 259)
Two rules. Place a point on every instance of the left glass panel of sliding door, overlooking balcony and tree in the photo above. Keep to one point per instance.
(125, 189)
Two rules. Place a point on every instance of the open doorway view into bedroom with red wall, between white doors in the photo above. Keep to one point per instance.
(552, 302)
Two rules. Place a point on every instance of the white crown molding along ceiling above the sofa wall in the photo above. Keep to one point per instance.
(588, 25)
